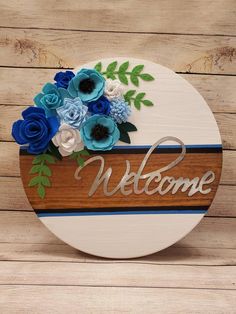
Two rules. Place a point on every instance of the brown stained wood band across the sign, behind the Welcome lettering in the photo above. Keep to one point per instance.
(66, 192)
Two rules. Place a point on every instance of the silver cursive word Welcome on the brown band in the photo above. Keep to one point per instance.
(129, 183)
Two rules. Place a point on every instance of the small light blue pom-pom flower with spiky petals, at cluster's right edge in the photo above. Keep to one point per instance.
(120, 110)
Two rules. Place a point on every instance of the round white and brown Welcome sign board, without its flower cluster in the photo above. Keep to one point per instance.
(137, 198)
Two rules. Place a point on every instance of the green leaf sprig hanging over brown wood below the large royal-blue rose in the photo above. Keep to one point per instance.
(43, 172)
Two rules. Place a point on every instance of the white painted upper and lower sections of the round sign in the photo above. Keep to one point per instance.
(180, 111)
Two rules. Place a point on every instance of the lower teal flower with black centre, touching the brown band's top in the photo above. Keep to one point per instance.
(99, 133)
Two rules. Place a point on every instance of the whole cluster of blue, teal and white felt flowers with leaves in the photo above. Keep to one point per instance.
(77, 113)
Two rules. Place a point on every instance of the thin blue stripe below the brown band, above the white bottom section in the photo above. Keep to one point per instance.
(148, 212)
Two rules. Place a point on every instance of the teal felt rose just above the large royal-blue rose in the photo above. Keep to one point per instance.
(51, 98)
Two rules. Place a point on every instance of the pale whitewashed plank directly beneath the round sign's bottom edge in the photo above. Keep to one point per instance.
(105, 274)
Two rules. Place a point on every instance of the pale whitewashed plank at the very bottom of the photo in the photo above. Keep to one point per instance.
(67, 299)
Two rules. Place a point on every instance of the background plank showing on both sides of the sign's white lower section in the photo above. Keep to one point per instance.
(25, 227)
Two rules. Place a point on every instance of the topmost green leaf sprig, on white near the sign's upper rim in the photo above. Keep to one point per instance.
(113, 72)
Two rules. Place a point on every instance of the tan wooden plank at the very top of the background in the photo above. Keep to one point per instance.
(169, 16)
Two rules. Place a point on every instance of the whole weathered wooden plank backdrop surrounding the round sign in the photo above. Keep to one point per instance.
(39, 273)
